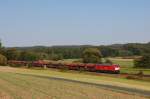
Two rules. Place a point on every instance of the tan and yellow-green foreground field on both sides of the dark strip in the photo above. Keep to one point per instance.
(20, 83)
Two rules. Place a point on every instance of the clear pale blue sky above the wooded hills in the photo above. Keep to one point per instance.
(73, 22)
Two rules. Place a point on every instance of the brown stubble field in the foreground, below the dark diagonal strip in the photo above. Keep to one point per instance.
(17, 86)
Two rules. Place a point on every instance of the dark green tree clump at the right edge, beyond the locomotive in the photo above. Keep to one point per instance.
(144, 62)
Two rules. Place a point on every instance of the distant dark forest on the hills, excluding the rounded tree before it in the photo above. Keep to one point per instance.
(73, 52)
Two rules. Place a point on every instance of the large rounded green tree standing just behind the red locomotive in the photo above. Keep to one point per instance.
(92, 55)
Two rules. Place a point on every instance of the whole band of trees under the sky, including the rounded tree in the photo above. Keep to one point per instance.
(73, 52)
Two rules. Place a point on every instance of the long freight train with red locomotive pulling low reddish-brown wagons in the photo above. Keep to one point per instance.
(71, 66)
